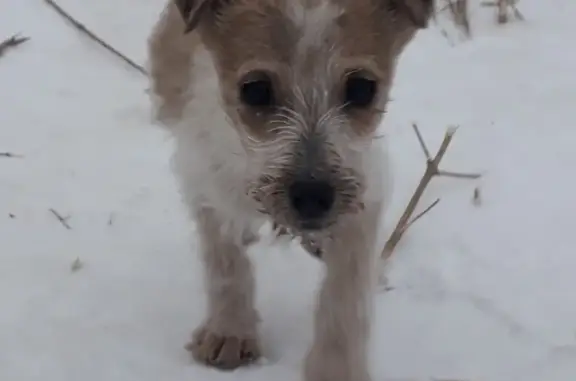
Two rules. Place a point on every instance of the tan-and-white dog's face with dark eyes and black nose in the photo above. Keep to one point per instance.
(305, 84)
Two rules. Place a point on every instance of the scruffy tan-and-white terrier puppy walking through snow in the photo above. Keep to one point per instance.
(274, 107)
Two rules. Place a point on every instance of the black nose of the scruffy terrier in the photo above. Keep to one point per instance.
(311, 199)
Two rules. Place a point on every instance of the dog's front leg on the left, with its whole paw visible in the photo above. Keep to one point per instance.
(228, 338)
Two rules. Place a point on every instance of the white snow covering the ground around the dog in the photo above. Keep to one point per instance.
(480, 293)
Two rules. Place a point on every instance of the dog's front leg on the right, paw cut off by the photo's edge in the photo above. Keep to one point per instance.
(342, 322)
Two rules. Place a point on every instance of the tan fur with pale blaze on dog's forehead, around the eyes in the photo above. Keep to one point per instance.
(301, 42)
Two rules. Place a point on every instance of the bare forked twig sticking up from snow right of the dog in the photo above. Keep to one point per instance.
(432, 170)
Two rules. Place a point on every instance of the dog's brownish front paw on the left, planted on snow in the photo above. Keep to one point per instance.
(222, 351)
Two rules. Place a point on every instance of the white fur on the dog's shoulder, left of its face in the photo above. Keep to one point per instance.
(209, 159)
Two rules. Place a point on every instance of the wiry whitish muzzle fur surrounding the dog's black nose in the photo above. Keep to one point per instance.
(326, 151)
